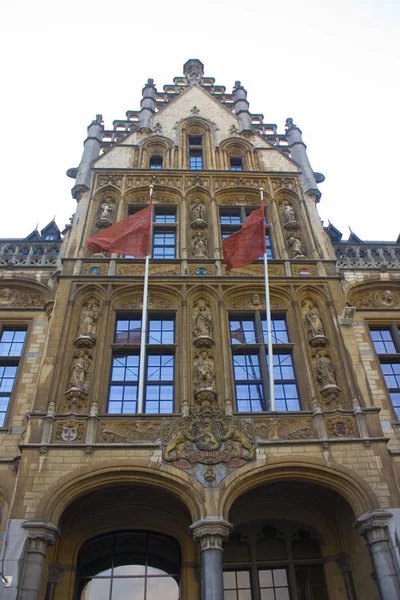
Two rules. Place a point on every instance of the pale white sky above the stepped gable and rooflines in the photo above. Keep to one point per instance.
(331, 65)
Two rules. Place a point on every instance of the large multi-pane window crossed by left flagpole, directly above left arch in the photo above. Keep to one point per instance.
(159, 366)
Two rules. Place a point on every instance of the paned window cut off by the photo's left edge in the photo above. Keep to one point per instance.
(11, 347)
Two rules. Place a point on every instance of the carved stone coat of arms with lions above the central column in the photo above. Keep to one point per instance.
(208, 437)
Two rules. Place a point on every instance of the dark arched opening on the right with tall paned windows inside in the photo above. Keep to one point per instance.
(295, 540)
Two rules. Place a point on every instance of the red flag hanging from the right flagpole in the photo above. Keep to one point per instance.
(246, 245)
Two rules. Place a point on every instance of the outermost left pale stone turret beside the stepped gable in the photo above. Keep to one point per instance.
(91, 151)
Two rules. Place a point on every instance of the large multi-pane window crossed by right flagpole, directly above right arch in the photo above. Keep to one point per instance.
(248, 336)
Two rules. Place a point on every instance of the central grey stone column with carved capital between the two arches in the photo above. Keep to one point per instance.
(210, 532)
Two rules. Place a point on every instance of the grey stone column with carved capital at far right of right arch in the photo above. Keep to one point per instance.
(373, 526)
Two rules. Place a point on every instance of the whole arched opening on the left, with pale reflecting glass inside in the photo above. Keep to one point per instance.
(127, 541)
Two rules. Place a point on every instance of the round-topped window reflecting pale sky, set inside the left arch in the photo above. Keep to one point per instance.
(129, 564)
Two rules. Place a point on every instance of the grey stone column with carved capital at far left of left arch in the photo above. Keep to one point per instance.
(41, 535)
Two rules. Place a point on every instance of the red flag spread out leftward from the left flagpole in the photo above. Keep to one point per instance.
(129, 236)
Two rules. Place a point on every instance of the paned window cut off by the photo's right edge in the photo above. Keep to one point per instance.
(386, 341)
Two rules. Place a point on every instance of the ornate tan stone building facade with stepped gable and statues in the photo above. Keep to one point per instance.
(205, 493)
